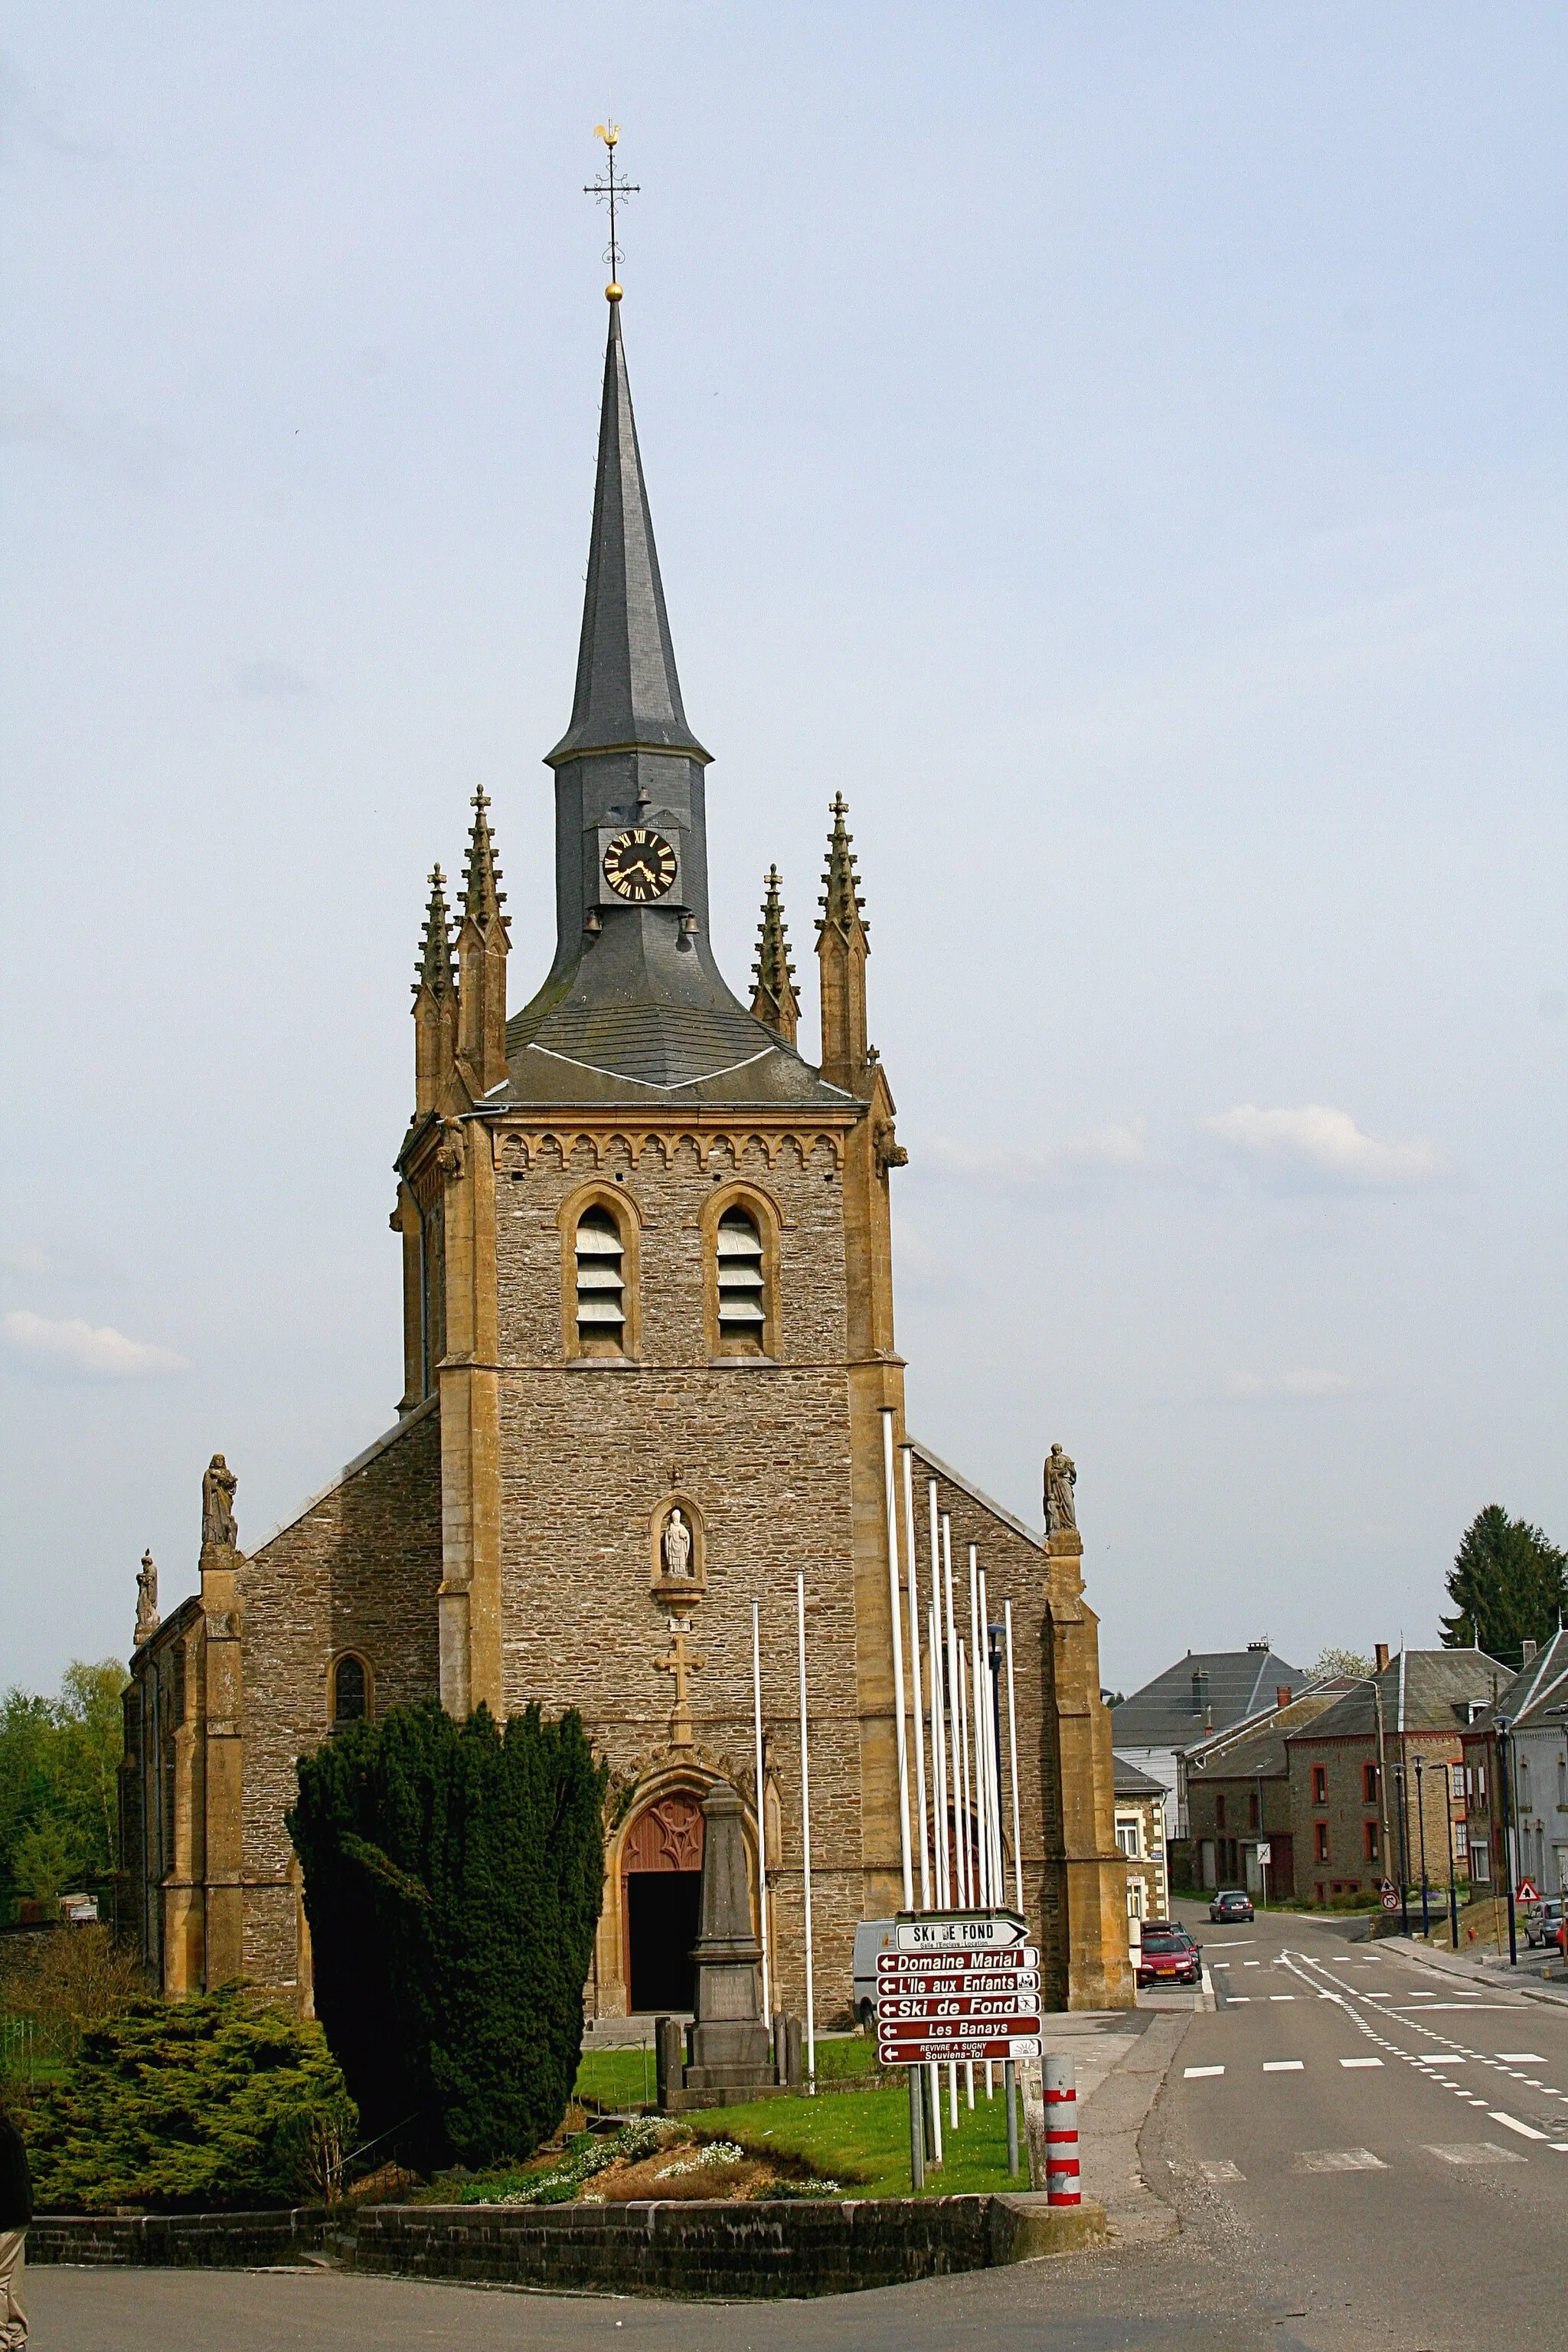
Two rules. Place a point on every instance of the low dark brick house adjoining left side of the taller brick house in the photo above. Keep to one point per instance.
(1238, 1796)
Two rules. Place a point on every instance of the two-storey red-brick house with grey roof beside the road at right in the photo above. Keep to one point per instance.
(1376, 1779)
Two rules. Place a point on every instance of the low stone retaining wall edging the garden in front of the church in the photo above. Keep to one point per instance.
(692, 2247)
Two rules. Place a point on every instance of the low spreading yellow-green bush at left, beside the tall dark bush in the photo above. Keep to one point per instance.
(189, 2106)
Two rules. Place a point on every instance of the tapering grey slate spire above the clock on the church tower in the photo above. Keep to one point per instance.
(626, 686)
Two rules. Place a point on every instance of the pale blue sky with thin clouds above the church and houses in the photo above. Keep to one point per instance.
(1120, 448)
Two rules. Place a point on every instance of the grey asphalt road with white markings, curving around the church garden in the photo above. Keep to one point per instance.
(1360, 2153)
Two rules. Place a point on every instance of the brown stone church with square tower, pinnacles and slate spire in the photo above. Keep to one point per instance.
(648, 1363)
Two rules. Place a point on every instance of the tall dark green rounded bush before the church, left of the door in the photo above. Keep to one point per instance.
(453, 1883)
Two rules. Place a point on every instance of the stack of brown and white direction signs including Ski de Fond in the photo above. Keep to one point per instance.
(958, 1986)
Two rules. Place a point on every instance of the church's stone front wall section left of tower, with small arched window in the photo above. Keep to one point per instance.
(359, 1570)
